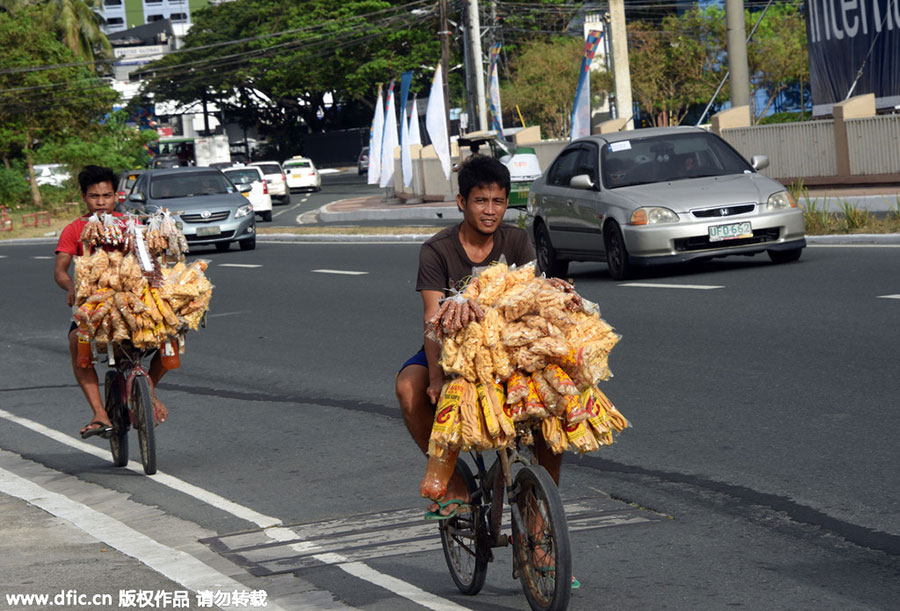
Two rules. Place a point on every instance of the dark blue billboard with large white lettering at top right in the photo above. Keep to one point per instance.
(849, 39)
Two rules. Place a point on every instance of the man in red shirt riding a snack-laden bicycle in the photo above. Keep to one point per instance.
(98, 192)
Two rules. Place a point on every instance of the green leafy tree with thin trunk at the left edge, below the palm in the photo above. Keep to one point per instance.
(45, 94)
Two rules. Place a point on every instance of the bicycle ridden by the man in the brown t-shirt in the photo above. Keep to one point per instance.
(542, 558)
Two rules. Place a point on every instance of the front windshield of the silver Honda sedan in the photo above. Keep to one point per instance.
(666, 158)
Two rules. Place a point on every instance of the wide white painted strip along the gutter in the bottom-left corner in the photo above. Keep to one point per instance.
(180, 567)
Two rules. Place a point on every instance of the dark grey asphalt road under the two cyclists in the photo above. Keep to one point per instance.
(760, 471)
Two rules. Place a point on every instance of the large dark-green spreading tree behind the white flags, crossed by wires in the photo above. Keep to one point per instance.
(299, 66)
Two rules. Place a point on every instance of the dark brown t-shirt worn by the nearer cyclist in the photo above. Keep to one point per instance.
(443, 263)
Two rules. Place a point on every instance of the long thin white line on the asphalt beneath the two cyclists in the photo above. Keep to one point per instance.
(361, 571)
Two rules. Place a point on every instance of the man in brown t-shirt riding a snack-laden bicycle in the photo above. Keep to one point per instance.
(446, 261)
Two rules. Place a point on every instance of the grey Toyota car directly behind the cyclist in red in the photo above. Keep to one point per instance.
(209, 207)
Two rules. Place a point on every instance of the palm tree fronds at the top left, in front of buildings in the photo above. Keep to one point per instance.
(77, 22)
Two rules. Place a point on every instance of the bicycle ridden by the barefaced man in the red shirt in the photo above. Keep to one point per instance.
(128, 403)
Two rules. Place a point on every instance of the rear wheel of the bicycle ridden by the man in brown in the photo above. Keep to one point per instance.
(465, 542)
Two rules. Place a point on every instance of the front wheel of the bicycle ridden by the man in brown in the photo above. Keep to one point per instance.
(542, 552)
